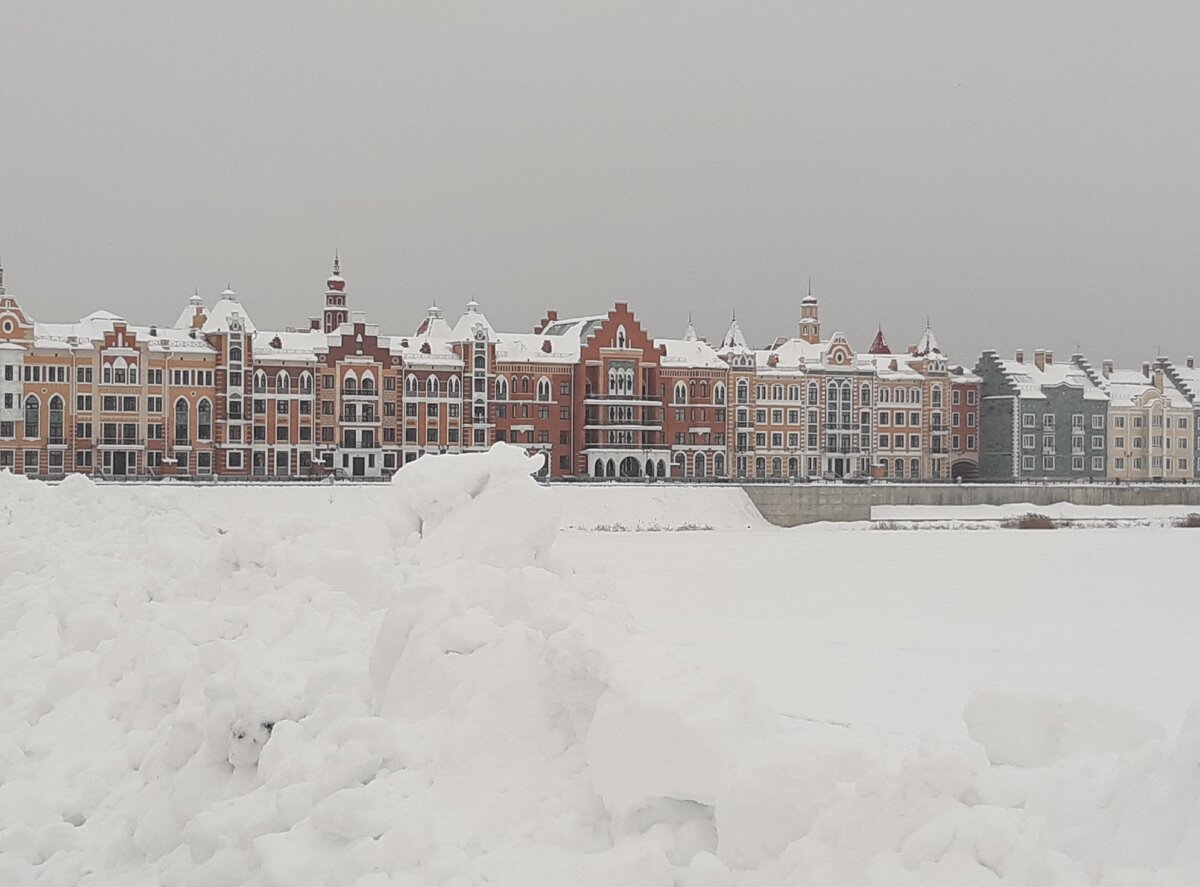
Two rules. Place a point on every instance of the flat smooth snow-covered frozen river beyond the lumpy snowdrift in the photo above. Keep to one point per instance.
(897, 630)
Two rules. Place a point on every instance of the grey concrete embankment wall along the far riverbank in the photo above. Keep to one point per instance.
(807, 504)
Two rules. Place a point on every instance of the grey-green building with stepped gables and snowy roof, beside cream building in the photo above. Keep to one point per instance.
(1041, 421)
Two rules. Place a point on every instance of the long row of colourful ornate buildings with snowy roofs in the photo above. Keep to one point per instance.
(215, 395)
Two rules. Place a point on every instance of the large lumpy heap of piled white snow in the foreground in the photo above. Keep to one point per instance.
(202, 696)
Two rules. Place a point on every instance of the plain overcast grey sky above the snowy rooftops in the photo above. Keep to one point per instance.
(1027, 173)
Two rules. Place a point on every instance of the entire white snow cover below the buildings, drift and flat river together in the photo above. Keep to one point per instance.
(429, 685)
